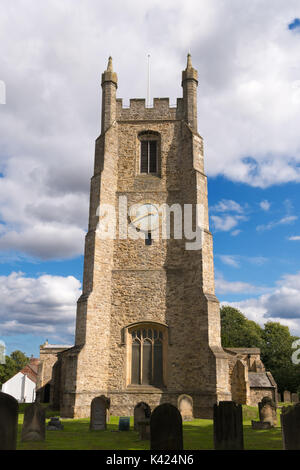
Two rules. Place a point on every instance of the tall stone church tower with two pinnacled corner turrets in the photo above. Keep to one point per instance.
(148, 324)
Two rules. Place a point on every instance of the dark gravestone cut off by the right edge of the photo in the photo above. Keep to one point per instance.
(290, 425)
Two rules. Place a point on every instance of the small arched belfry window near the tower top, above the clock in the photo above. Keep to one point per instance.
(149, 152)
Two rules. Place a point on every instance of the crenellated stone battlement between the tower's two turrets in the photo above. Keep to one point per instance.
(161, 110)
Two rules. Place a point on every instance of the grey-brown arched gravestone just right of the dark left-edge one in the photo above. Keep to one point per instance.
(33, 428)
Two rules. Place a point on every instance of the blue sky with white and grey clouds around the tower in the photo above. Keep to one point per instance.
(52, 56)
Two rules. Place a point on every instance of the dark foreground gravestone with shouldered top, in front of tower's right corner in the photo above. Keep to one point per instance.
(228, 426)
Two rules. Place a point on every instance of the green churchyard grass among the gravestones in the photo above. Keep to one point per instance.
(197, 434)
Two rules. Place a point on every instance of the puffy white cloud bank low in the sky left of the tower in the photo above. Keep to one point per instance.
(45, 305)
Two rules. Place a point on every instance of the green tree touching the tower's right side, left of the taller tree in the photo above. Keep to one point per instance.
(237, 331)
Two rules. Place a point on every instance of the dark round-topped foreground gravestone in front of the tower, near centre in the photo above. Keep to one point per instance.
(166, 428)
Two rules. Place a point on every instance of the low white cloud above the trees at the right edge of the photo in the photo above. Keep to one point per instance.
(281, 304)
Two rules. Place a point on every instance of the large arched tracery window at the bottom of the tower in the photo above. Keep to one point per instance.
(147, 355)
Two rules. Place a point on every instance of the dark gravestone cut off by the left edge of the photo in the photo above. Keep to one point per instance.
(8, 422)
